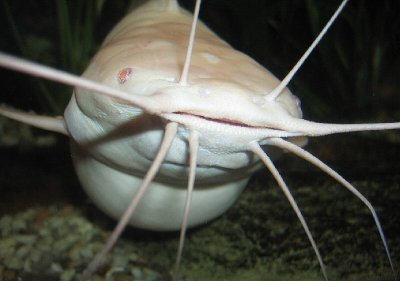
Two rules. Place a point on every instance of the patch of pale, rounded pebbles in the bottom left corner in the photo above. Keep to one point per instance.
(56, 243)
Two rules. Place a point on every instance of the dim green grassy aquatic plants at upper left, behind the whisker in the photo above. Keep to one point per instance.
(66, 41)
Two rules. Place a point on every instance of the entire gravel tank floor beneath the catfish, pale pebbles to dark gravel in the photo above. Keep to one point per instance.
(259, 239)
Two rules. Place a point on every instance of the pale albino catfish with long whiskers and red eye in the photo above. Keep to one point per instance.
(168, 122)
